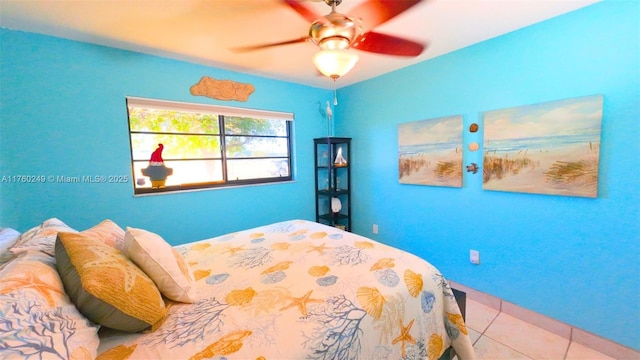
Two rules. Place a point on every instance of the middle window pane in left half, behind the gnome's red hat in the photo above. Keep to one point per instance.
(175, 146)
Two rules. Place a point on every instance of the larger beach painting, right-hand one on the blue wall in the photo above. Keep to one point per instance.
(548, 148)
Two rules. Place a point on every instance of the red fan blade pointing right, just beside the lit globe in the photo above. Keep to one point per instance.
(387, 44)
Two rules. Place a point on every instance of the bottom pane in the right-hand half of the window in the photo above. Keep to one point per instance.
(257, 168)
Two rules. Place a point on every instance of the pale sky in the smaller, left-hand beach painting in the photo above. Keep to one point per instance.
(433, 131)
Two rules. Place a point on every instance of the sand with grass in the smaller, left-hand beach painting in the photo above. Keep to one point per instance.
(438, 168)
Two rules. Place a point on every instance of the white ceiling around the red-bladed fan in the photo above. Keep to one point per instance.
(203, 31)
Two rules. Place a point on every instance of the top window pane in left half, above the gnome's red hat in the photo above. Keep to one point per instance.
(172, 121)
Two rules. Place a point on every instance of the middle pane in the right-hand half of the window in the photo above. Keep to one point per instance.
(241, 146)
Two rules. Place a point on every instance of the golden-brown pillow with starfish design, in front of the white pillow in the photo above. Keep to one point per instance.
(105, 286)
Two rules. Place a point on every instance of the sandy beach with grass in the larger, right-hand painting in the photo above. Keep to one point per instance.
(570, 170)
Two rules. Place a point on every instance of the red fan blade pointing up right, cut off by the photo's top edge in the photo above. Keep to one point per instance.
(376, 12)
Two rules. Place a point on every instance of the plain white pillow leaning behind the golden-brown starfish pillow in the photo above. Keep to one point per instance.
(162, 263)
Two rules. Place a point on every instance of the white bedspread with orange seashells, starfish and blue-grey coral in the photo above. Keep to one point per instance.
(301, 290)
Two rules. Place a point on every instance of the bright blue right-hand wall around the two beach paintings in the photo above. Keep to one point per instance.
(574, 259)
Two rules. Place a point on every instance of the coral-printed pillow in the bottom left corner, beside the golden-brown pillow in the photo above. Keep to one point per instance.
(37, 318)
